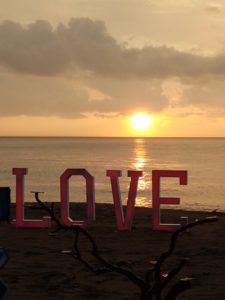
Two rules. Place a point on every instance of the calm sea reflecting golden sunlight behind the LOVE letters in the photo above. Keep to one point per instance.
(47, 158)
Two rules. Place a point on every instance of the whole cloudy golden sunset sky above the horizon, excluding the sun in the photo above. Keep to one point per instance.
(83, 68)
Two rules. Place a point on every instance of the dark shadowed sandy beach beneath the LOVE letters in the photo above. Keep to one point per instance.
(37, 269)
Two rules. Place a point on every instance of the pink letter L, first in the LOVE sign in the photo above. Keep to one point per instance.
(20, 222)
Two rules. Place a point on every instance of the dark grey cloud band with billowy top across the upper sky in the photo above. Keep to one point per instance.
(86, 45)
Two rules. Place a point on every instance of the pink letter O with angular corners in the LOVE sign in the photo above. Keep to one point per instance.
(64, 180)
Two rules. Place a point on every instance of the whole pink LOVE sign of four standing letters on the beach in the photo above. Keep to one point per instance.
(123, 221)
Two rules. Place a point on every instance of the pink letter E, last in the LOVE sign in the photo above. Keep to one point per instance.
(157, 200)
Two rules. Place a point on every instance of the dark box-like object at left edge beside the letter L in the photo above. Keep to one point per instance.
(5, 203)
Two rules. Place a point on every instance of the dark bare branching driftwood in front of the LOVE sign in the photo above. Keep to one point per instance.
(152, 285)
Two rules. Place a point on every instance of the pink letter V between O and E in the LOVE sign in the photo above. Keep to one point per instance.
(121, 223)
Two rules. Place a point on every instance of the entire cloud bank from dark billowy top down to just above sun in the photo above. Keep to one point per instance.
(106, 77)
